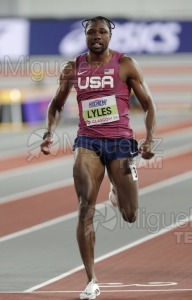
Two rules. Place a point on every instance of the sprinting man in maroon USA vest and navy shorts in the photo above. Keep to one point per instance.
(103, 79)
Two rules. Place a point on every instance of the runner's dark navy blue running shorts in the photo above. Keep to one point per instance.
(108, 149)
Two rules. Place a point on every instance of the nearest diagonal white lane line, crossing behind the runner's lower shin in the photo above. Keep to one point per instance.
(109, 254)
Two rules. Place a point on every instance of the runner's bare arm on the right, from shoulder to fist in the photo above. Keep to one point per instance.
(135, 80)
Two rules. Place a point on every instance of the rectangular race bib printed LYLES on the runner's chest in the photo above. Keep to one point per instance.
(100, 110)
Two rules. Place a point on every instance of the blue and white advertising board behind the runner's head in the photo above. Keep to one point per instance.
(66, 37)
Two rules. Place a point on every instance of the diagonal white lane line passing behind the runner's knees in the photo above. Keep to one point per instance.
(143, 191)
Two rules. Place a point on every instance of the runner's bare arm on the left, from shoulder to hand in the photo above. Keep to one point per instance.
(56, 106)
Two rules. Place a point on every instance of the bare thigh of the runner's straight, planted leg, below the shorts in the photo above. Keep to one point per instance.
(88, 172)
